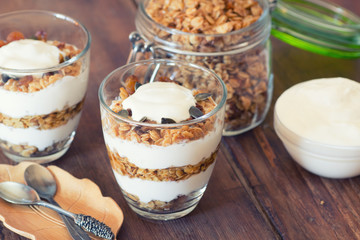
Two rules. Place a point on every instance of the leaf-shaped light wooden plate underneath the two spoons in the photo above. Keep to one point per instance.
(73, 194)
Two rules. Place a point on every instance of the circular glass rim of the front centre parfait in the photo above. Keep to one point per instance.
(170, 125)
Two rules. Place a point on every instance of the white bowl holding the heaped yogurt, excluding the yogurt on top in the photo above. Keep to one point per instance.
(318, 157)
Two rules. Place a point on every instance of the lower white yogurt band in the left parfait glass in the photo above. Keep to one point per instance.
(38, 138)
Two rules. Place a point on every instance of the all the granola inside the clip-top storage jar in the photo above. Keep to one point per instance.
(246, 74)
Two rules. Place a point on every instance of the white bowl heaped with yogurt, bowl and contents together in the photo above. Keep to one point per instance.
(319, 123)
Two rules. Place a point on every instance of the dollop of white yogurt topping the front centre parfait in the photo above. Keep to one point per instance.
(158, 100)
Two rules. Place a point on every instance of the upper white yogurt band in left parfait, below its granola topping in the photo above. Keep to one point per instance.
(63, 93)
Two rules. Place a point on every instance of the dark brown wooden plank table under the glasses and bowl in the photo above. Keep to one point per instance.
(256, 191)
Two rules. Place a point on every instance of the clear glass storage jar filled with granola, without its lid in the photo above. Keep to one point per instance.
(229, 37)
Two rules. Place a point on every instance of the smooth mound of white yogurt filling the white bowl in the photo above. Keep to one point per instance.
(323, 110)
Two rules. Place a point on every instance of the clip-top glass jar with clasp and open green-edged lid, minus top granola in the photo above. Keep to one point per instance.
(242, 58)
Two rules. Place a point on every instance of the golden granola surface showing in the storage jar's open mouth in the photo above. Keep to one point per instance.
(204, 16)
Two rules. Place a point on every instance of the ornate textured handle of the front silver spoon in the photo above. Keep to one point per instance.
(89, 223)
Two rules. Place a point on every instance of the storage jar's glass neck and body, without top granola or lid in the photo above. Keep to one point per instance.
(241, 58)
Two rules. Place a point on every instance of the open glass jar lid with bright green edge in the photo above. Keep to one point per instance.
(317, 26)
